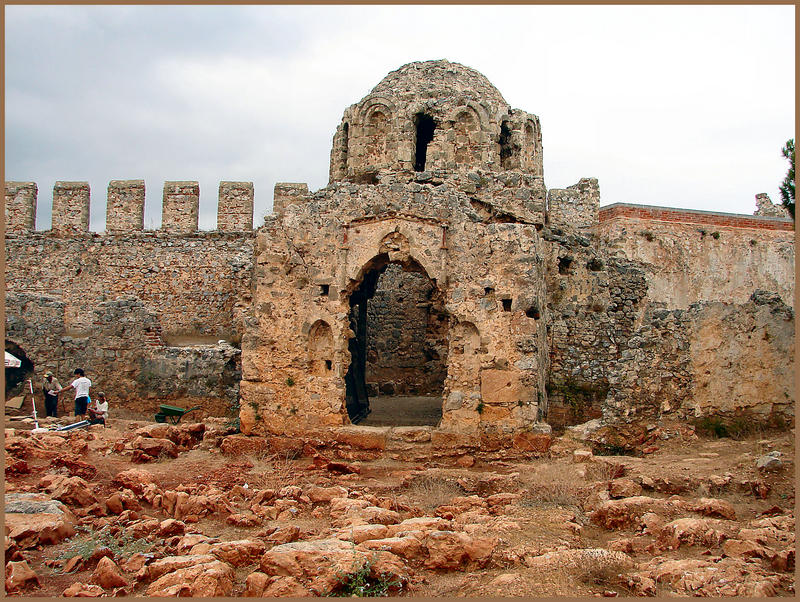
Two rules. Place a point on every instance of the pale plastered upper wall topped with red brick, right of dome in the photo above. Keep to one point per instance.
(707, 257)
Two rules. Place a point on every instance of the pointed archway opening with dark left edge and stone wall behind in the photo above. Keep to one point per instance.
(399, 351)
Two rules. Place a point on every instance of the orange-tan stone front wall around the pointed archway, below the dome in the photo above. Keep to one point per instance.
(487, 266)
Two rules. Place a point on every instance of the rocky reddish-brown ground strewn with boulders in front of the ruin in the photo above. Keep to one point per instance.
(146, 509)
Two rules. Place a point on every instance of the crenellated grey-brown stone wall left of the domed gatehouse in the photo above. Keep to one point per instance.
(142, 311)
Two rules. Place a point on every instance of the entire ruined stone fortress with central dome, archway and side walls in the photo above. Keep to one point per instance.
(435, 263)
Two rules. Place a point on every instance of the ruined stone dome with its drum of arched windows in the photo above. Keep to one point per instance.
(434, 116)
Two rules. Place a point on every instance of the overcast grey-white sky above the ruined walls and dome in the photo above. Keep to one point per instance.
(679, 106)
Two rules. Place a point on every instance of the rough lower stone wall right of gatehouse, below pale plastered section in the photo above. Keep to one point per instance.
(618, 353)
